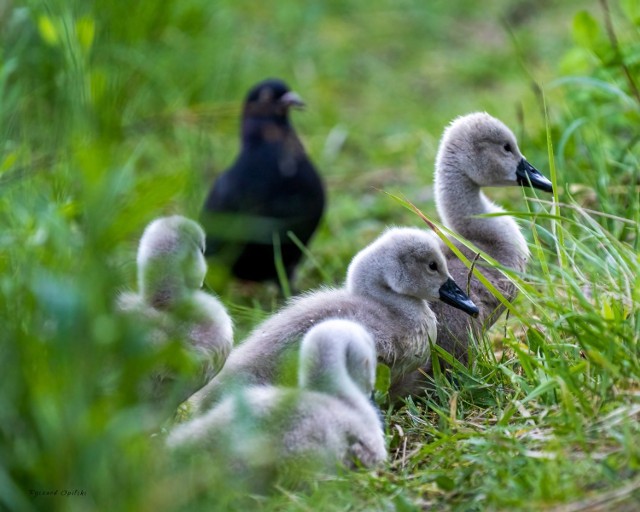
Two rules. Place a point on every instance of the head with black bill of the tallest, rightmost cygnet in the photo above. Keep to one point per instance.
(486, 151)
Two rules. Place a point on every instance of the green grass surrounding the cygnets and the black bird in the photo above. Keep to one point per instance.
(112, 114)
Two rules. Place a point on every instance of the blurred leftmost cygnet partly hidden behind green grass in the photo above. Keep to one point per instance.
(169, 301)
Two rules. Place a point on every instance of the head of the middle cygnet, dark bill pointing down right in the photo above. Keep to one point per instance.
(406, 262)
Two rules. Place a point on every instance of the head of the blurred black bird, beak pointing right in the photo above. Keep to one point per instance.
(272, 99)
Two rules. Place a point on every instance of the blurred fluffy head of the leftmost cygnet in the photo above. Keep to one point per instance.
(171, 259)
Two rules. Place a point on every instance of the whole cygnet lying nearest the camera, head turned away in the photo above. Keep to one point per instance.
(327, 421)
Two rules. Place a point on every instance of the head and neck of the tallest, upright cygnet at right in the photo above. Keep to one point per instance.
(478, 150)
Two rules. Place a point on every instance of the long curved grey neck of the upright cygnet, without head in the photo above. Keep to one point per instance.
(459, 199)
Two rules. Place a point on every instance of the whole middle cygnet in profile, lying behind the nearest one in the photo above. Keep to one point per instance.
(387, 290)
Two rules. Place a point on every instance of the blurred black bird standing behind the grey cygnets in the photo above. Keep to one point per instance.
(272, 191)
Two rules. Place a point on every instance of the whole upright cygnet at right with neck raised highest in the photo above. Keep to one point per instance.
(476, 151)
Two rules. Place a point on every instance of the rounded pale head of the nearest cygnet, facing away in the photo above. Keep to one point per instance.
(333, 347)
